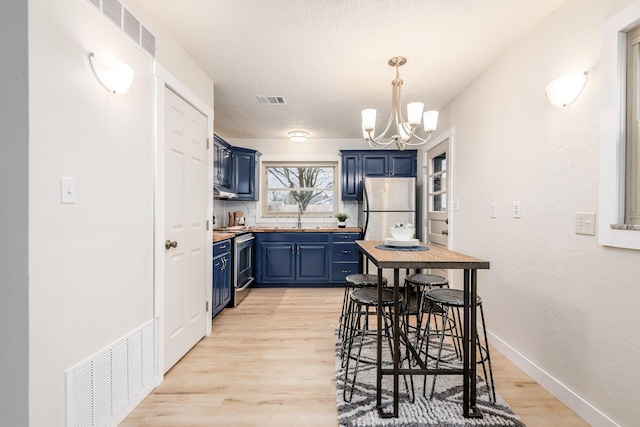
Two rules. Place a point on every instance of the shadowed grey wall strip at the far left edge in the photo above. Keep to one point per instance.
(14, 214)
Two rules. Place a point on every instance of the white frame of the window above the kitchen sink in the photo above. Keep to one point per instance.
(264, 189)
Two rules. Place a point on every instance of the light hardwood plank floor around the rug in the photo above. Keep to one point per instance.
(269, 362)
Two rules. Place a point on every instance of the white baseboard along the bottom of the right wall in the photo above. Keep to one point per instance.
(577, 404)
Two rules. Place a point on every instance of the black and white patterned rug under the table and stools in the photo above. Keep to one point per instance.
(443, 410)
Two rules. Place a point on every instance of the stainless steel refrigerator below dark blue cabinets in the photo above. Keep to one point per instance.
(386, 202)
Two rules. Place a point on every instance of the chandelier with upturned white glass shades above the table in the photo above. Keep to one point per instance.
(405, 130)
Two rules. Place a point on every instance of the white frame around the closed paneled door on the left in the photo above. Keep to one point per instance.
(162, 79)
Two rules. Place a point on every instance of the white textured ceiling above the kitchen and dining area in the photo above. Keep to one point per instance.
(328, 58)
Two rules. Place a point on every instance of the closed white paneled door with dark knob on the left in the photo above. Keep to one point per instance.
(185, 227)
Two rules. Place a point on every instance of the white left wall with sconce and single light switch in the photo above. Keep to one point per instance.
(91, 264)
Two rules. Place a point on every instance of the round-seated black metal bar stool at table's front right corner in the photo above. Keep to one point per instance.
(452, 301)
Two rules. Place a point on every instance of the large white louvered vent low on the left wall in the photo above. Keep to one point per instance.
(98, 389)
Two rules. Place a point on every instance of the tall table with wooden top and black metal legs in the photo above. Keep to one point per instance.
(433, 258)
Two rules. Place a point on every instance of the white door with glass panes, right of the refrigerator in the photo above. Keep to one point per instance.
(436, 189)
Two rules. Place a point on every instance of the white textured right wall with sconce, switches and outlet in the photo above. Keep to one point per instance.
(559, 304)
